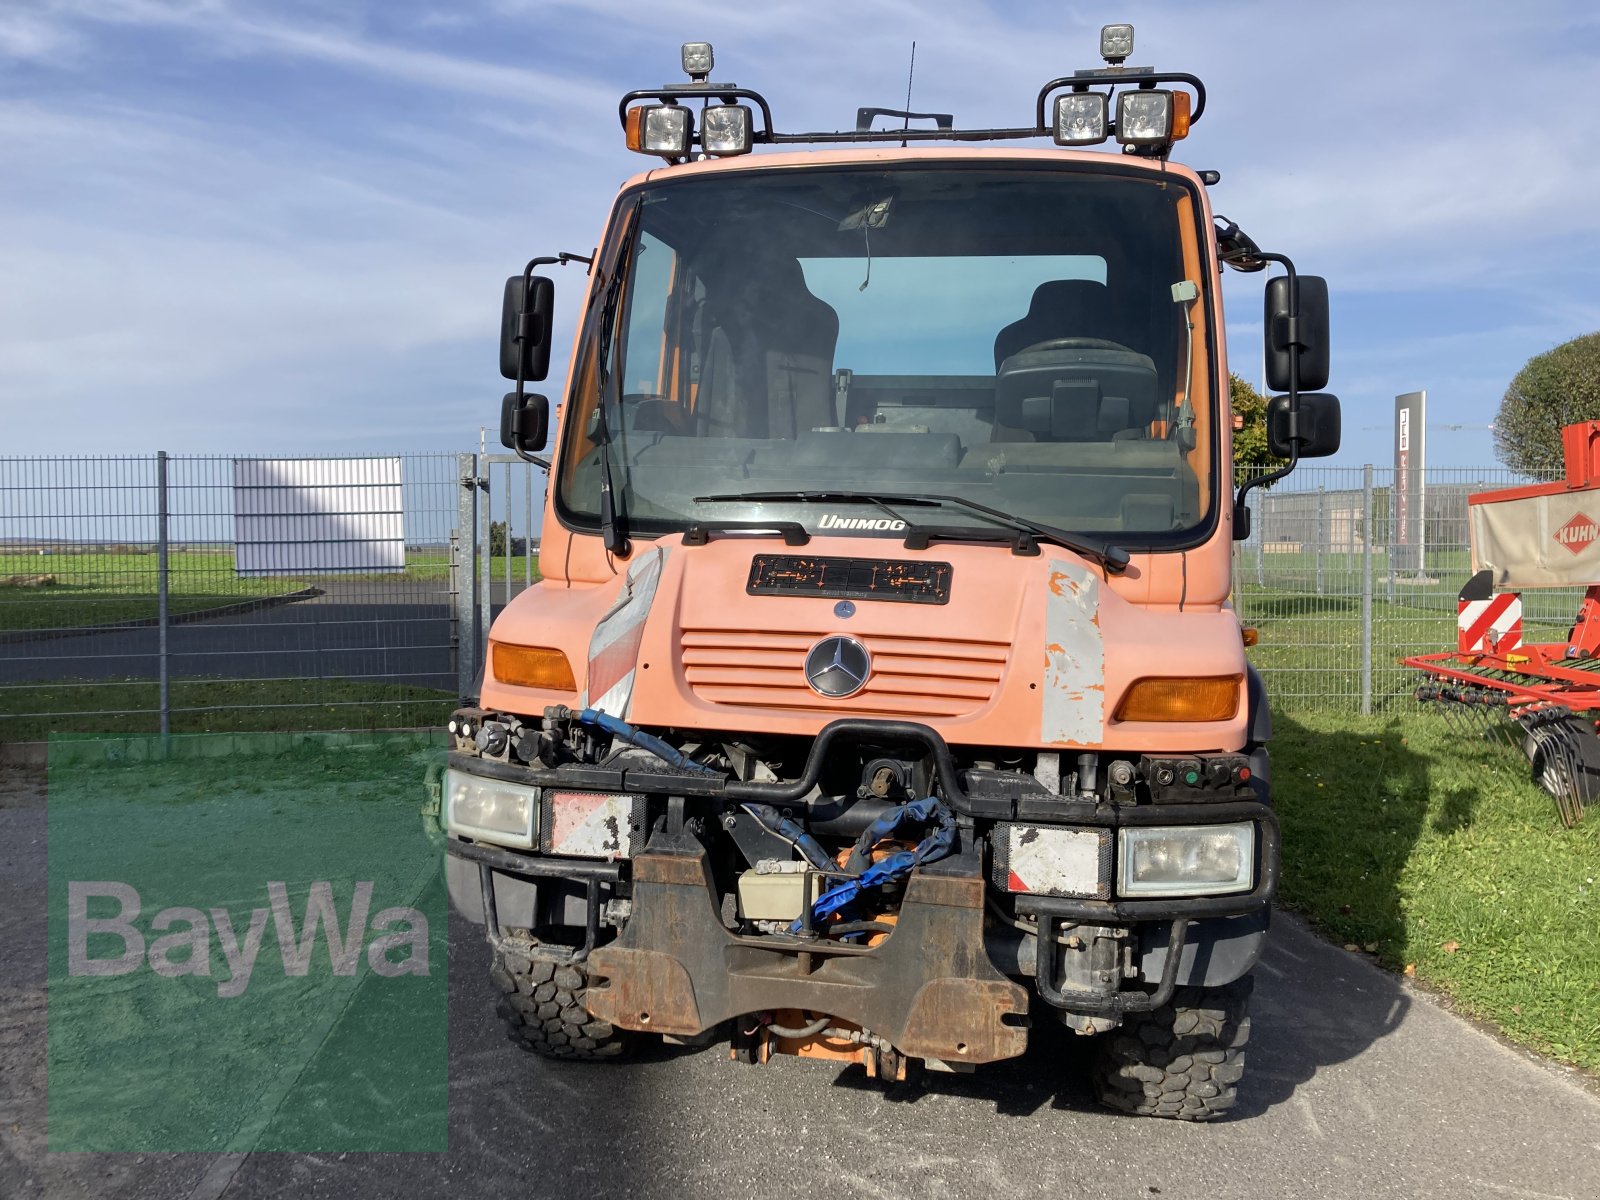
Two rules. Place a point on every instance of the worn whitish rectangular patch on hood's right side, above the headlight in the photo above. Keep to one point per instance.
(1073, 708)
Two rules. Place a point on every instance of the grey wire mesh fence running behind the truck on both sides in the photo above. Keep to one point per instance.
(134, 594)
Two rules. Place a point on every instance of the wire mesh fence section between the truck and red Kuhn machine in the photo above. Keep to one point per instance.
(1338, 602)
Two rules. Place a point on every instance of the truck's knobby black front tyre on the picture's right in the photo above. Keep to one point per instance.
(1182, 1062)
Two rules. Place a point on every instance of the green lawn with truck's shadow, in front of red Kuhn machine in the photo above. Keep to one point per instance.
(1436, 854)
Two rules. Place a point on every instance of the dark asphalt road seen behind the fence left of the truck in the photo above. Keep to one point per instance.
(396, 631)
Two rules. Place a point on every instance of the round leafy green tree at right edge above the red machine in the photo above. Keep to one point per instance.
(1553, 390)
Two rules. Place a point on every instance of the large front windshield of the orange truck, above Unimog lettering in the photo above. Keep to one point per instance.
(1033, 342)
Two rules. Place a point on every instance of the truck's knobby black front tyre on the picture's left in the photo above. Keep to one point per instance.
(543, 1009)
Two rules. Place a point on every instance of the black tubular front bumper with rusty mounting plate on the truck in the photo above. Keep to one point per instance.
(934, 988)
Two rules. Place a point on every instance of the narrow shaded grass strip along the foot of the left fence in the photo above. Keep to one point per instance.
(33, 713)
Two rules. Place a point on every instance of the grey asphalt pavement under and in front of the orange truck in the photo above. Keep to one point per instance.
(1359, 1086)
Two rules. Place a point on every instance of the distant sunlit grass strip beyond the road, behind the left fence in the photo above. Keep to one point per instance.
(113, 588)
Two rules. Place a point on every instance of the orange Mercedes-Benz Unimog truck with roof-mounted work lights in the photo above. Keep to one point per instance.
(882, 694)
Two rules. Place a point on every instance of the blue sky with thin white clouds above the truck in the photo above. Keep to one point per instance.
(282, 228)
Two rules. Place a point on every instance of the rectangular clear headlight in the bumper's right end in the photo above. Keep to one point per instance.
(1186, 860)
